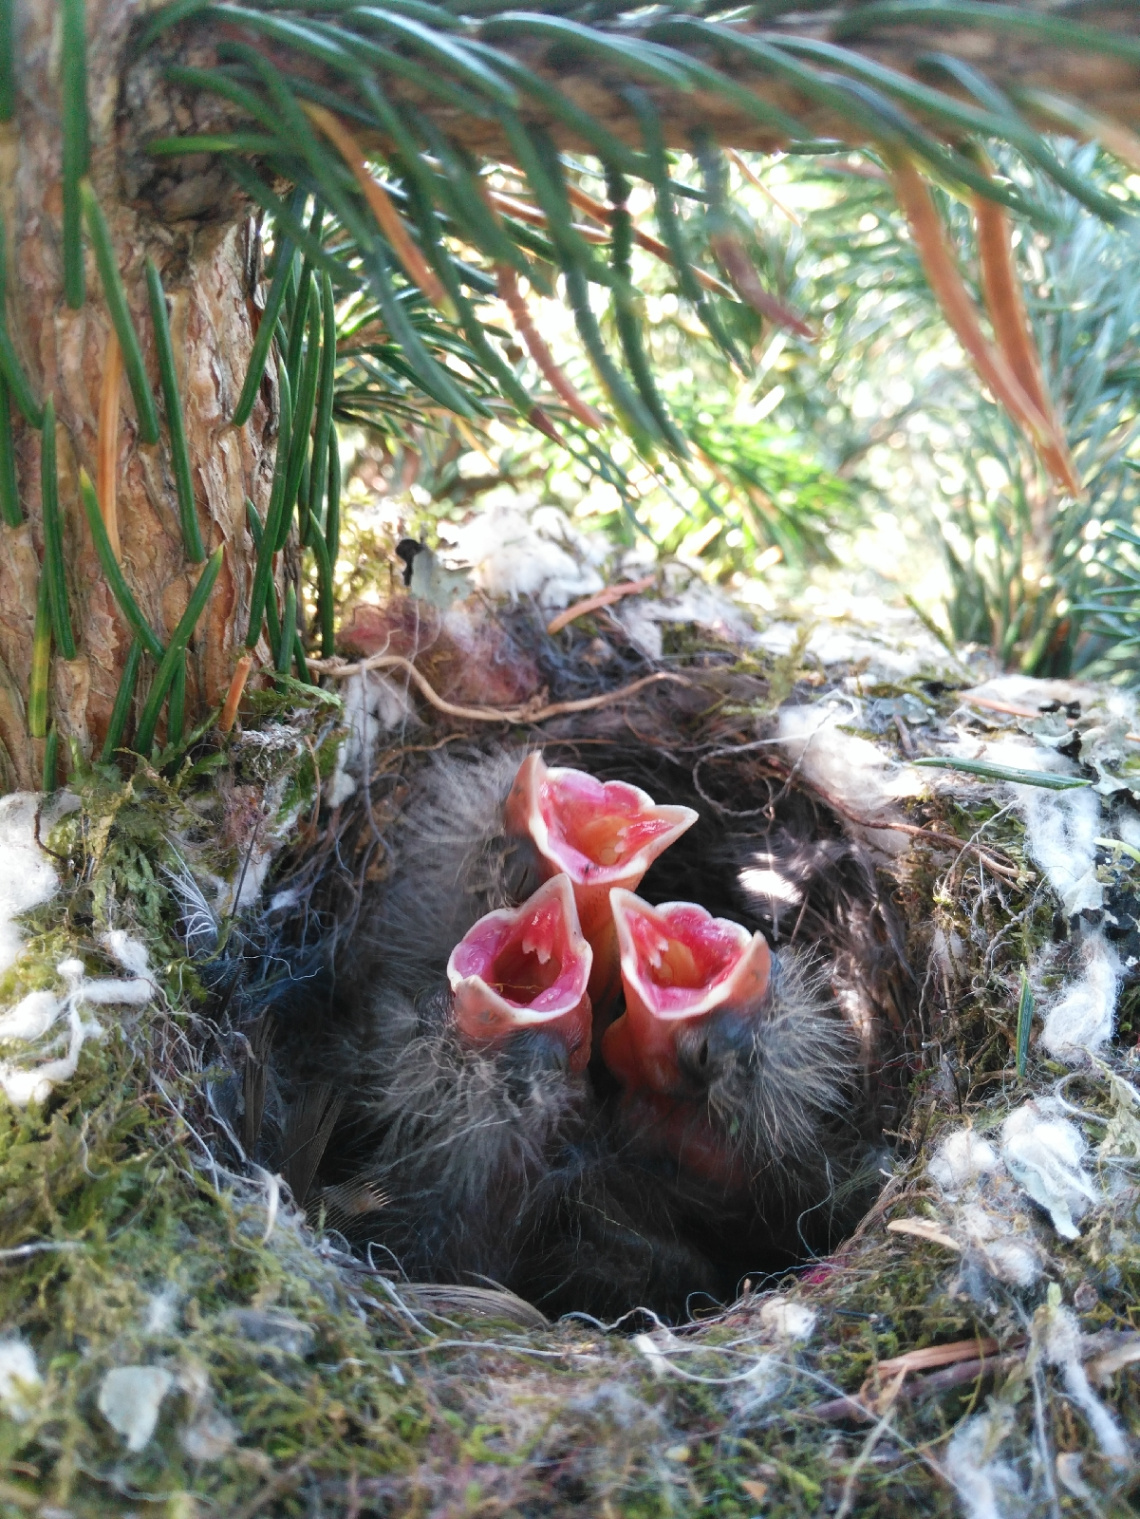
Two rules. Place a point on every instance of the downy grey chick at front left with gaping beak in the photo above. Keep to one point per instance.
(464, 1094)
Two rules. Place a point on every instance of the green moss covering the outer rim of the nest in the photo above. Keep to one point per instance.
(305, 1386)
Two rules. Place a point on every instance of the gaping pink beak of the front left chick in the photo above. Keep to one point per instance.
(522, 970)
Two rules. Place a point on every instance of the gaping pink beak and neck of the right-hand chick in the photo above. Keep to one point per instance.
(680, 965)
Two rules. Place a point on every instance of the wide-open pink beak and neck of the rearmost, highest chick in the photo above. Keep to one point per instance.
(603, 835)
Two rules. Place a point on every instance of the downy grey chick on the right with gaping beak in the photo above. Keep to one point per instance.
(730, 1058)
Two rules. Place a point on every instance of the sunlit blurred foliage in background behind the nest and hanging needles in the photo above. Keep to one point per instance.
(797, 443)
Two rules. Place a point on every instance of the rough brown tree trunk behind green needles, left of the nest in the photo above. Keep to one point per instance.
(66, 355)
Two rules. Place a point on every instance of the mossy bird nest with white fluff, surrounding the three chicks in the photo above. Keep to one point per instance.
(192, 1321)
